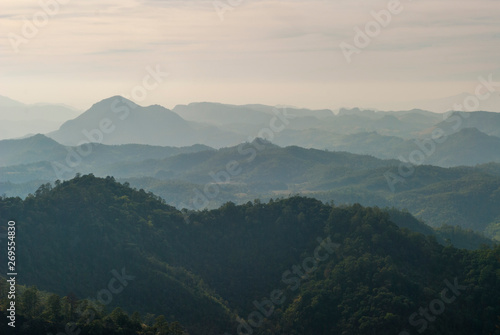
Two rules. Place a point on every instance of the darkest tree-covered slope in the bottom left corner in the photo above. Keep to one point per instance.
(43, 313)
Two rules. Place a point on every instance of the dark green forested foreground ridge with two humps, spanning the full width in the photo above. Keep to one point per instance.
(294, 266)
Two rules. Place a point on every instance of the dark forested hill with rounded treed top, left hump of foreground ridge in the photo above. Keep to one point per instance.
(122, 228)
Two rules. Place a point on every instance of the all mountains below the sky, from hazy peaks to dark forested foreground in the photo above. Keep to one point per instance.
(221, 205)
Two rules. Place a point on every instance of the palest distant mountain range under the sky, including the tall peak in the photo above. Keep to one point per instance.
(443, 138)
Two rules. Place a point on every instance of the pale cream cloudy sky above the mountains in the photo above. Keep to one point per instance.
(247, 51)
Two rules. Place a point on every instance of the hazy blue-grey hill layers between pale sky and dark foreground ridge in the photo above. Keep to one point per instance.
(158, 149)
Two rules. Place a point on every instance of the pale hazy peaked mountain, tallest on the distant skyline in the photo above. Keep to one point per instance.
(117, 120)
